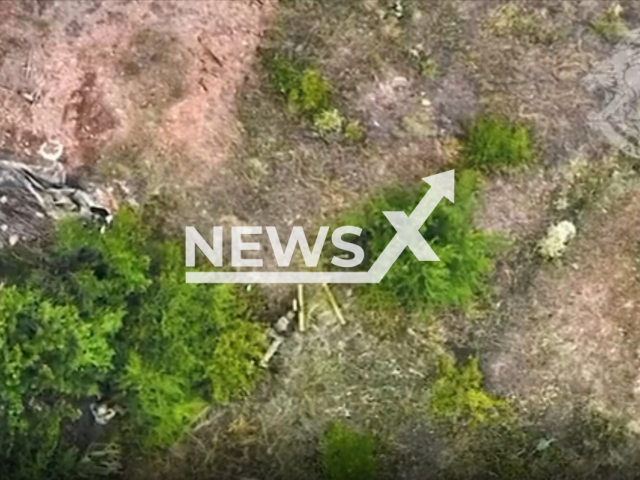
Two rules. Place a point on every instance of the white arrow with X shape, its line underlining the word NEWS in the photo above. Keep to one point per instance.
(408, 235)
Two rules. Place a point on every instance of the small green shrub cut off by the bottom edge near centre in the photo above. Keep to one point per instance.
(348, 454)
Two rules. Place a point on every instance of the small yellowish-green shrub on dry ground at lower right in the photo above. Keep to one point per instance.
(457, 395)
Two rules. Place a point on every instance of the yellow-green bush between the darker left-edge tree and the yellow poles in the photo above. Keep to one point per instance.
(172, 331)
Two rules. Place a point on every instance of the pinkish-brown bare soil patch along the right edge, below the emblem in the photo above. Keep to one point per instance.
(577, 336)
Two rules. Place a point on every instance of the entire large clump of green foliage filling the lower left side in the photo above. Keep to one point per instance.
(112, 313)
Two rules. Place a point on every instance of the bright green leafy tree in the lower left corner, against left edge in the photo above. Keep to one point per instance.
(49, 355)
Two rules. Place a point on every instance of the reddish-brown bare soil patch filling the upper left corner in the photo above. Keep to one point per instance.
(93, 73)
